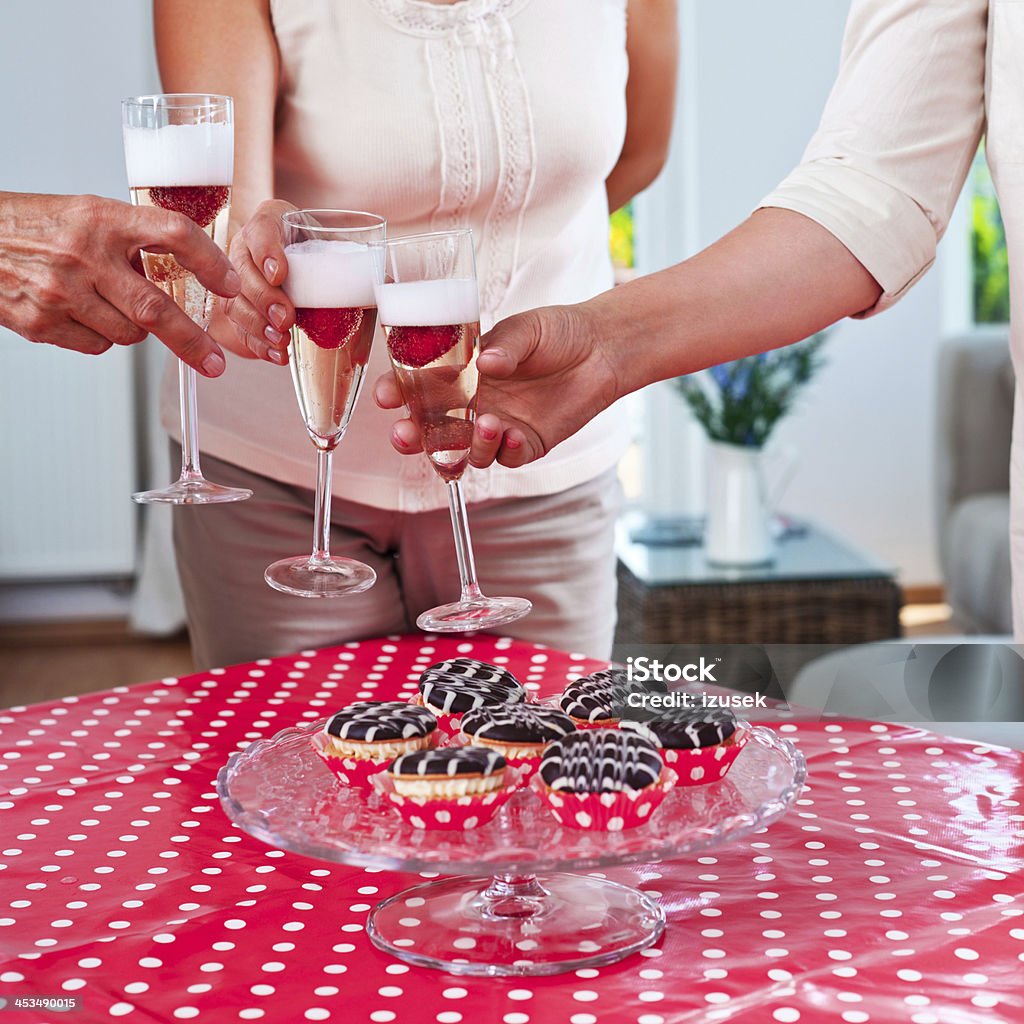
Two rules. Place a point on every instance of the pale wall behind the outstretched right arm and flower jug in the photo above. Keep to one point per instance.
(755, 78)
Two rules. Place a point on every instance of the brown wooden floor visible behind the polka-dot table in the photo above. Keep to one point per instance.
(53, 661)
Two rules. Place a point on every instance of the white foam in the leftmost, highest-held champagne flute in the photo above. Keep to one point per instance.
(180, 155)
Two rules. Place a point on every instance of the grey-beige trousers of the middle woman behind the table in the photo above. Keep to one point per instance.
(557, 550)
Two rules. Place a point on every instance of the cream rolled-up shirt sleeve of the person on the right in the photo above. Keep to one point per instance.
(898, 138)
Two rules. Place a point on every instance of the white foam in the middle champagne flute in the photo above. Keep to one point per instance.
(326, 275)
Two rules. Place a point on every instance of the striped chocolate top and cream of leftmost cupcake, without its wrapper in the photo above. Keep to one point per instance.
(378, 730)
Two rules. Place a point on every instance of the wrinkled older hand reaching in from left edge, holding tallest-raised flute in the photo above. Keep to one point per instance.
(70, 276)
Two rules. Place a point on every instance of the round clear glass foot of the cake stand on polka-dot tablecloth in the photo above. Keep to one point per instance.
(534, 926)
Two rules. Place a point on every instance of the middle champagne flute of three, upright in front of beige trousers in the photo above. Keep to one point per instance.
(331, 284)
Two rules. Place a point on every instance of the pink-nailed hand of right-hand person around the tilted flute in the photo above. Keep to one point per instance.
(544, 374)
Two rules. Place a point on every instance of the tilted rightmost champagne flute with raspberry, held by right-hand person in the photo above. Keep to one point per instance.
(431, 310)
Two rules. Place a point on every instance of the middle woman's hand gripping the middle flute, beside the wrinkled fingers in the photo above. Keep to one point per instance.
(263, 314)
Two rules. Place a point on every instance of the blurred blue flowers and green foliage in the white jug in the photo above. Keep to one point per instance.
(741, 403)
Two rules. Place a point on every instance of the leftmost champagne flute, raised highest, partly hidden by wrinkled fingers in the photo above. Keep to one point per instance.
(180, 156)
